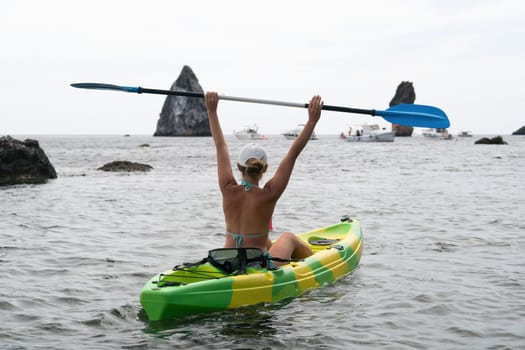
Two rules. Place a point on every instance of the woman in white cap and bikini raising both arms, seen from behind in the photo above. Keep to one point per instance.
(248, 209)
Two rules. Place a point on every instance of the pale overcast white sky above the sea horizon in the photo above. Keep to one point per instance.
(465, 57)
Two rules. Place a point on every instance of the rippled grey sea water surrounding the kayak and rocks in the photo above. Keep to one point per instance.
(443, 264)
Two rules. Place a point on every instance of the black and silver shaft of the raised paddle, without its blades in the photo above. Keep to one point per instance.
(141, 90)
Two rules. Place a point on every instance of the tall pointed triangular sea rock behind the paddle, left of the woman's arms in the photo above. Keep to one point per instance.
(184, 116)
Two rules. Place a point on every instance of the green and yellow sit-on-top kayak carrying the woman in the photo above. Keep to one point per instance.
(205, 287)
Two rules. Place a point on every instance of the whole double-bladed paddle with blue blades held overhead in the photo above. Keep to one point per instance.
(402, 114)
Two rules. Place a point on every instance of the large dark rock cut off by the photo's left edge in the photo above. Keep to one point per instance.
(23, 162)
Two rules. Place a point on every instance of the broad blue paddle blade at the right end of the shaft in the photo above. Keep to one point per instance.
(416, 115)
